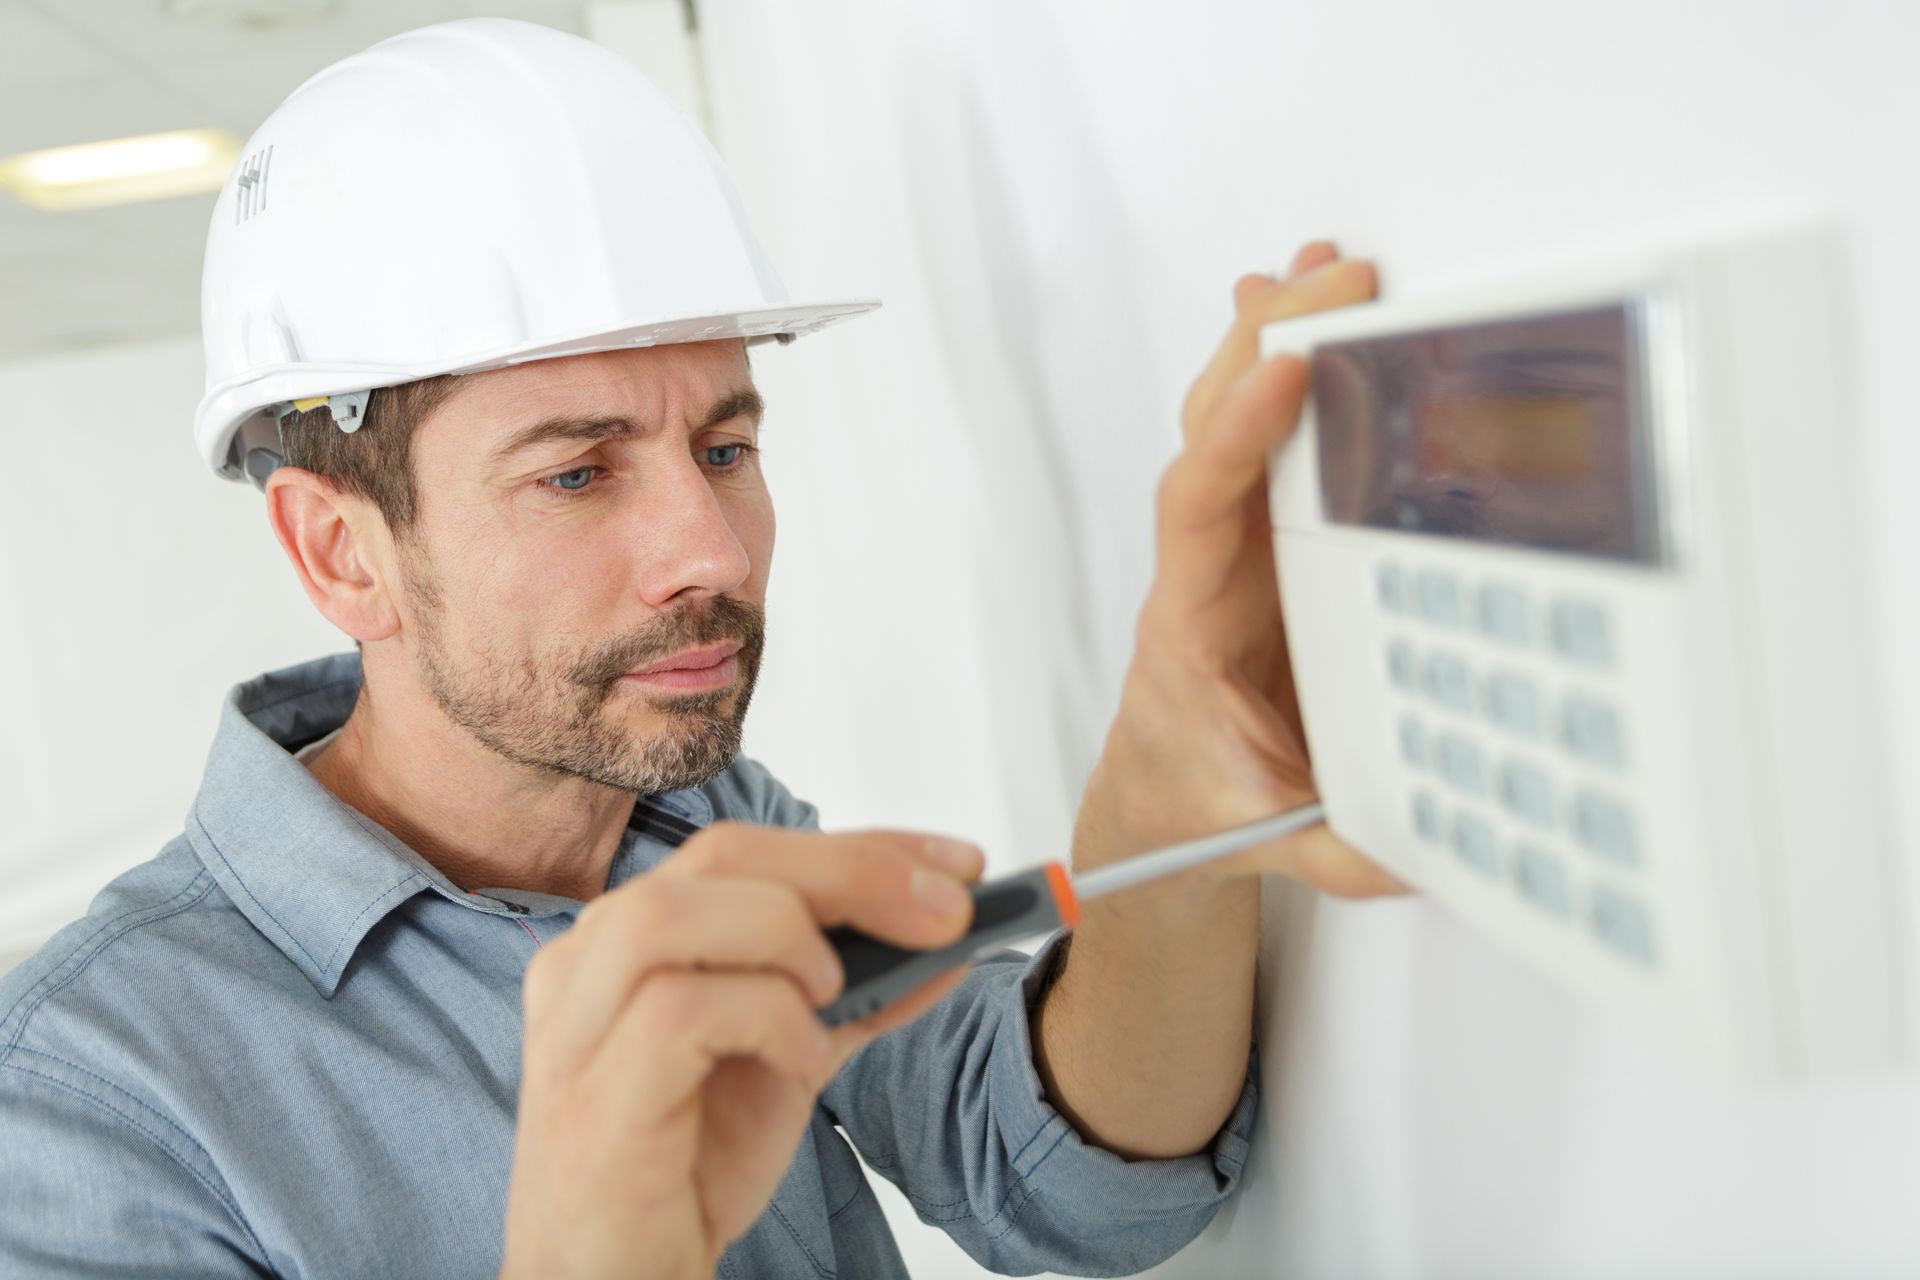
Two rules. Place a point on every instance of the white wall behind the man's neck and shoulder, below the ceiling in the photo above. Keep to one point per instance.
(133, 592)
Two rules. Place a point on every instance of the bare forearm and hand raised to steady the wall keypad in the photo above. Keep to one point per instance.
(1143, 1043)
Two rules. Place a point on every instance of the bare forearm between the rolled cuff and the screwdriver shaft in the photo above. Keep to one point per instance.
(1143, 1039)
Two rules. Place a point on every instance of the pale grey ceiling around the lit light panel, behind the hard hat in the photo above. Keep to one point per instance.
(87, 70)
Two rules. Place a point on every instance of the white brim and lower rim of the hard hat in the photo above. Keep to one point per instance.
(241, 414)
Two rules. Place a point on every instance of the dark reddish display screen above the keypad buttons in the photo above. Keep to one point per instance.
(1529, 433)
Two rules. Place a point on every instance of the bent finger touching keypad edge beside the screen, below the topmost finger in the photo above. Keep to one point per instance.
(1203, 496)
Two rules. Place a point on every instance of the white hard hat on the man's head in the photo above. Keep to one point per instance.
(460, 199)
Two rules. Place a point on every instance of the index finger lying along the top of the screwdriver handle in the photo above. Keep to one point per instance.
(901, 888)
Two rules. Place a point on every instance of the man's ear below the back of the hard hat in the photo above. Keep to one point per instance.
(341, 550)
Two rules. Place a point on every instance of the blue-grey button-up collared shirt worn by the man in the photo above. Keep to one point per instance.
(289, 1047)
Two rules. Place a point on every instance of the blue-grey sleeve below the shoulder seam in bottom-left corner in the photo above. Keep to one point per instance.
(99, 1187)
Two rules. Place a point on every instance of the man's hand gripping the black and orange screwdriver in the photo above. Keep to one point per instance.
(673, 1053)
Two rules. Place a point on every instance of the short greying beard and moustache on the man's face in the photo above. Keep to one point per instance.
(550, 711)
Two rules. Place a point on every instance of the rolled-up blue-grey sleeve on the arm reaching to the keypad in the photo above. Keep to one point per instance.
(953, 1112)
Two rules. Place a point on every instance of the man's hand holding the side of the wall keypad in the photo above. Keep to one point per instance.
(1209, 734)
